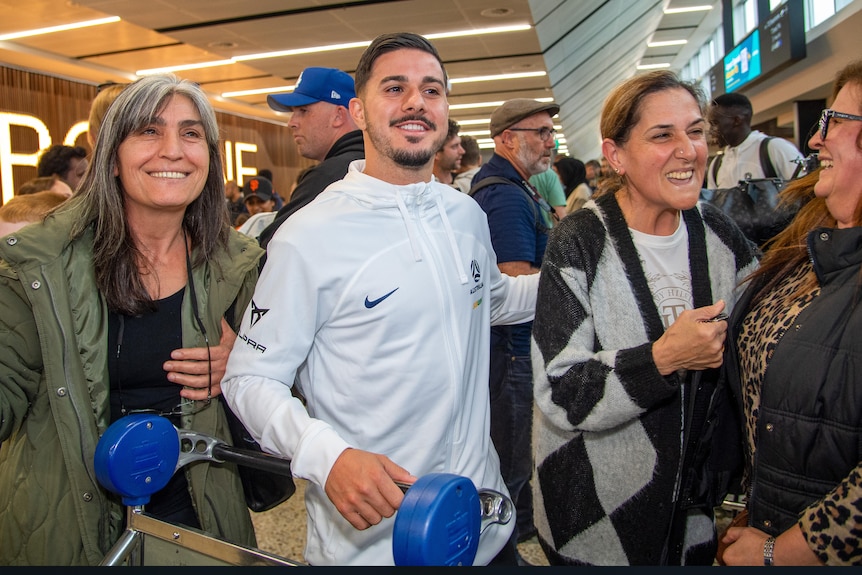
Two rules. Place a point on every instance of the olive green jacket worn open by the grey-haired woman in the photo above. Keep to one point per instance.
(54, 397)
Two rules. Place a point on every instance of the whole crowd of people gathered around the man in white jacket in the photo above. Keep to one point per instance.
(613, 354)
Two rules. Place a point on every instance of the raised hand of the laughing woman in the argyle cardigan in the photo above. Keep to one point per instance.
(692, 341)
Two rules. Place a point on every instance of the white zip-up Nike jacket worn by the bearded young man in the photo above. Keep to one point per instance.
(377, 300)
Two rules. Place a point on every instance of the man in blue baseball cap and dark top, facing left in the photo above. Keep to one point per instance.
(323, 130)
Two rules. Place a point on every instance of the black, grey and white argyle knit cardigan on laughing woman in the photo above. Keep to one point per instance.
(607, 427)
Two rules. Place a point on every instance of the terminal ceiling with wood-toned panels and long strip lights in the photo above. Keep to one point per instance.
(573, 51)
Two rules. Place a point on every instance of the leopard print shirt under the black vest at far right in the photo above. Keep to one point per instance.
(832, 526)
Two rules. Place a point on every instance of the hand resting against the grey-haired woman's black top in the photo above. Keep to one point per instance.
(189, 366)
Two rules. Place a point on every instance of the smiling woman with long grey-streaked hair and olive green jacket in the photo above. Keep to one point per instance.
(116, 303)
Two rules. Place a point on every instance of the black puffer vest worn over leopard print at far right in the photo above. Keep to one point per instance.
(809, 430)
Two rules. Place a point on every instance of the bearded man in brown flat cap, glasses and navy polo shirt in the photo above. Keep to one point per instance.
(523, 133)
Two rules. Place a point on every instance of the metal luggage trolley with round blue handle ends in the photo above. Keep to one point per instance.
(439, 522)
